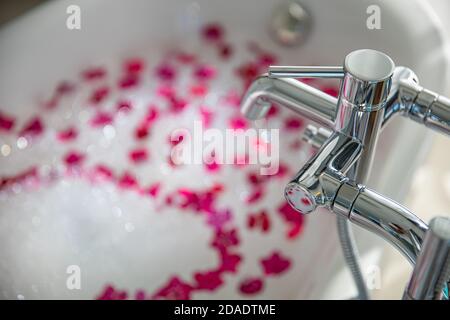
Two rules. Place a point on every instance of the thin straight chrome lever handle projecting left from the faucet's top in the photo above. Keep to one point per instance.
(306, 72)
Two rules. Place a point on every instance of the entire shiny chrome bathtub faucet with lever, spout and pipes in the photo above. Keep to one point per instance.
(372, 92)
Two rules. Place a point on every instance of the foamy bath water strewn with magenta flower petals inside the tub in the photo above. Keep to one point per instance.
(93, 205)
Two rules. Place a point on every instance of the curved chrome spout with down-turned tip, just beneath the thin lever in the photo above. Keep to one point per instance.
(292, 94)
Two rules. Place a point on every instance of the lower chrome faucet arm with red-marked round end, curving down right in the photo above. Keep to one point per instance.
(323, 182)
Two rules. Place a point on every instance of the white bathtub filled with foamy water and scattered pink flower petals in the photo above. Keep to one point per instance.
(90, 205)
